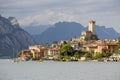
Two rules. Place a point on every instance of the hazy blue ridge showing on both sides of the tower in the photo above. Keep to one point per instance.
(67, 30)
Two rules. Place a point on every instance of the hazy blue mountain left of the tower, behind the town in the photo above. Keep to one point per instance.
(60, 31)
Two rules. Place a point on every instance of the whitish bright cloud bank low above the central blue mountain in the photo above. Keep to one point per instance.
(47, 17)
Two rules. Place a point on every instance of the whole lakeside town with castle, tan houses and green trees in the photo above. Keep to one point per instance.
(87, 47)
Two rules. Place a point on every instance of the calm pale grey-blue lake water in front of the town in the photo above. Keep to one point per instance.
(49, 70)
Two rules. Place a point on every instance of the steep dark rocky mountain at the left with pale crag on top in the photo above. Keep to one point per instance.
(12, 37)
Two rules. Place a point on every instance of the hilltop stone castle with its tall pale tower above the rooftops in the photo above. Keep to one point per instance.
(90, 34)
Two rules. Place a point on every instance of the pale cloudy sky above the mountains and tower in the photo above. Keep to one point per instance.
(44, 12)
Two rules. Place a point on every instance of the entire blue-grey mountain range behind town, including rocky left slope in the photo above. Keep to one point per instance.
(14, 39)
